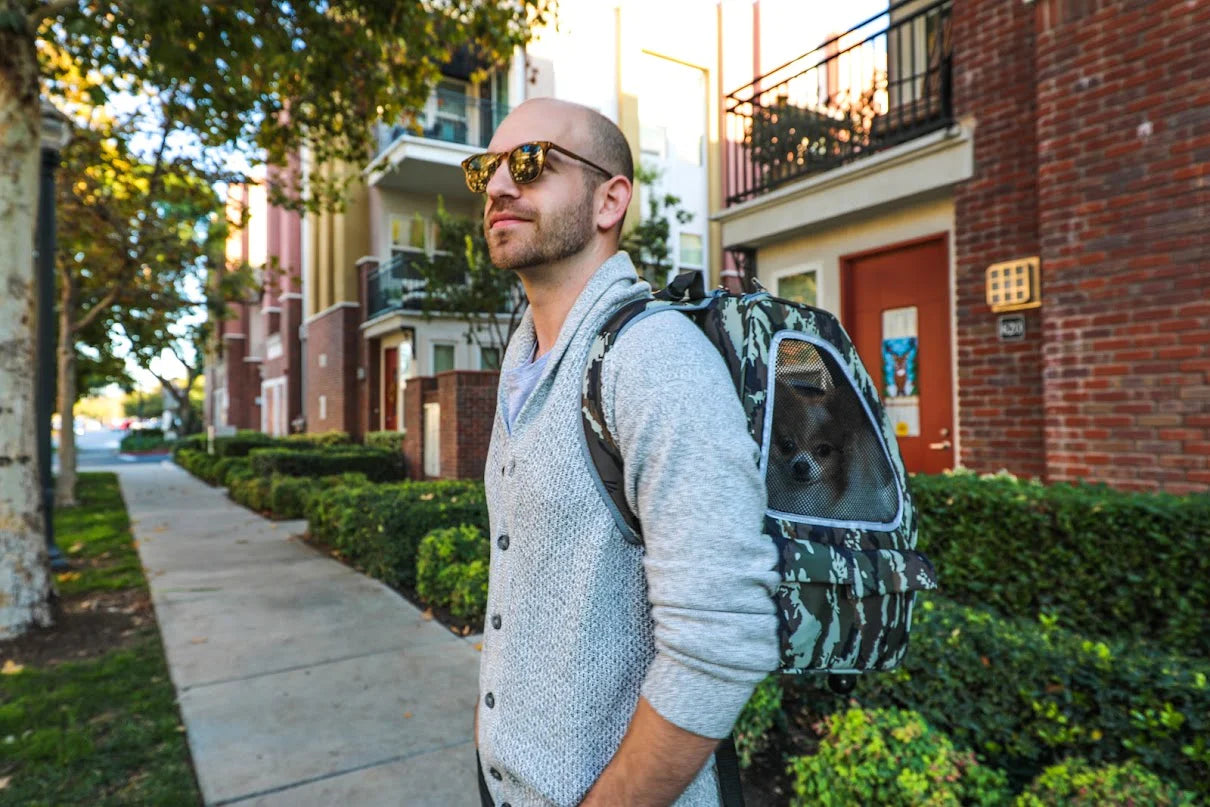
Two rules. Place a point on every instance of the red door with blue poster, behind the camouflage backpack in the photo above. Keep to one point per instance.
(896, 304)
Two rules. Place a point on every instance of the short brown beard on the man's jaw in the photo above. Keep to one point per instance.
(549, 239)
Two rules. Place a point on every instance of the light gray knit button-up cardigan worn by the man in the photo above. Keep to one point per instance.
(579, 621)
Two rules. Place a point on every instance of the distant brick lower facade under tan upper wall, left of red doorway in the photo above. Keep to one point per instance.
(332, 353)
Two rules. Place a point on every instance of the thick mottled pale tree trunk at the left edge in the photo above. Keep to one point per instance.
(25, 574)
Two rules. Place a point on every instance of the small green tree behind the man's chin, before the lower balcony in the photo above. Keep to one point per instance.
(459, 279)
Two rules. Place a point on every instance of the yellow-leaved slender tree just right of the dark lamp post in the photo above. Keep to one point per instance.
(134, 235)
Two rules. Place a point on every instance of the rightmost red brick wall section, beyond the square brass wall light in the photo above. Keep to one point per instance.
(1123, 96)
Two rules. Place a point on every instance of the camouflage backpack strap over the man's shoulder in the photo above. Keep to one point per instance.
(601, 448)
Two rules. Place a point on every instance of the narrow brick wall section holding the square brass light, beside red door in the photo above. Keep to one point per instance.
(1000, 384)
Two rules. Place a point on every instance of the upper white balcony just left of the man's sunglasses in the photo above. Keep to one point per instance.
(424, 154)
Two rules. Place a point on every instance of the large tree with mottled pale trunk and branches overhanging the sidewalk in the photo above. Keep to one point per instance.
(258, 78)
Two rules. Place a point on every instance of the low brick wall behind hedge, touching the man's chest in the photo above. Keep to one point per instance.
(468, 401)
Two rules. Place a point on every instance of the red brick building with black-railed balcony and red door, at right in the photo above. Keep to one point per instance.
(944, 139)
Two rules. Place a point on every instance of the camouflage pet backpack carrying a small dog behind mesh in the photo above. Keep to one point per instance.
(839, 508)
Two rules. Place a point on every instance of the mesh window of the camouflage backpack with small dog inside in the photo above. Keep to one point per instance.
(825, 456)
